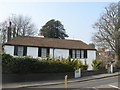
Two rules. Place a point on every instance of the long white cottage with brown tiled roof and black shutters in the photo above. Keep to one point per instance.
(41, 47)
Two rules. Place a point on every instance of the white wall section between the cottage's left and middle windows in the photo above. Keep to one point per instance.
(32, 51)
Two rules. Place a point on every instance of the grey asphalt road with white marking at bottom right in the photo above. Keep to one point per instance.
(110, 82)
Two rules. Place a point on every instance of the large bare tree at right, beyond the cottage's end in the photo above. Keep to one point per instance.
(108, 32)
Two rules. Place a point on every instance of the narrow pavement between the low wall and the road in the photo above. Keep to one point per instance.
(56, 82)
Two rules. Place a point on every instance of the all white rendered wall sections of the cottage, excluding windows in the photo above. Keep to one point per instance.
(58, 53)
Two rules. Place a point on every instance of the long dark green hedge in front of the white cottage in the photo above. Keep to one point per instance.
(31, 65)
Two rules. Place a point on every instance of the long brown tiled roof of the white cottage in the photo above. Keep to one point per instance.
(49, 42)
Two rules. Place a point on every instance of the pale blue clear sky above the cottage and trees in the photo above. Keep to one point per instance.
(77, 17)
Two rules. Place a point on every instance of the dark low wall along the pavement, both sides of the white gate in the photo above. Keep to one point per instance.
(9, 78)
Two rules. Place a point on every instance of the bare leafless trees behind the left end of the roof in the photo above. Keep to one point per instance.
(21, 26)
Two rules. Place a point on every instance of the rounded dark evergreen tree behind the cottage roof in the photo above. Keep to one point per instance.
(54, 29)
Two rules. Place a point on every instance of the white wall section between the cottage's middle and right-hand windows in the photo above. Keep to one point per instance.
(59, 53)
